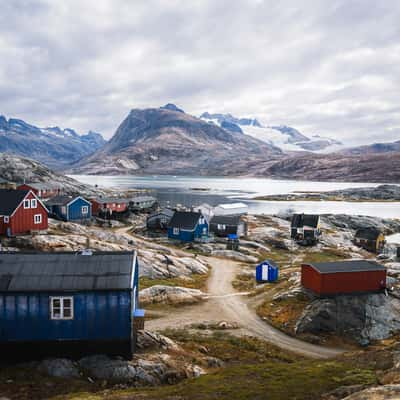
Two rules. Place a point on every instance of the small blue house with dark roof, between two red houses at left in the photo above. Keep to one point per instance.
(68, 208)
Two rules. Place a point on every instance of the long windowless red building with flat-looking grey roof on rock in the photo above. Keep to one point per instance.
(343, 277)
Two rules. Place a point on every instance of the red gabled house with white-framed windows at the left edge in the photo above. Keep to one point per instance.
(21, 211)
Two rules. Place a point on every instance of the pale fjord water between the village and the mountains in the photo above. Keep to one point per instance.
(195, 190)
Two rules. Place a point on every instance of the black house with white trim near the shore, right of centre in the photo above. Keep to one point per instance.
(305, 228)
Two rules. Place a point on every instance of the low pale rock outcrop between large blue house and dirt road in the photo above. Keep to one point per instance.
(170, 295)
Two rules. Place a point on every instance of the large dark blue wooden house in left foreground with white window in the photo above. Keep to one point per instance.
(68, 304)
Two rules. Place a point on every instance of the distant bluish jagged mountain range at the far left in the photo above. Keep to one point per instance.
(54, 147)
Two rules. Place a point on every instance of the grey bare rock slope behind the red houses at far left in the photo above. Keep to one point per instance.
(17, 169)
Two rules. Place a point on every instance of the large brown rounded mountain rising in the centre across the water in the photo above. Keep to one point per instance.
(167, 140)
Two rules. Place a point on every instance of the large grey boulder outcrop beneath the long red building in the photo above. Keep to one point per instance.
(364, 318)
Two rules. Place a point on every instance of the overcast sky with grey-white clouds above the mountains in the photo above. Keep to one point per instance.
(325, 67)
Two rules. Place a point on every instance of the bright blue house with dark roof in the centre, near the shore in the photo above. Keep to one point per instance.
(187, 226)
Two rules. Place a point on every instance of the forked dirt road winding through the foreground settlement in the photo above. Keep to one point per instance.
(226, 304)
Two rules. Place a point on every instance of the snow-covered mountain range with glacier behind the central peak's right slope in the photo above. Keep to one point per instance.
(284, 137)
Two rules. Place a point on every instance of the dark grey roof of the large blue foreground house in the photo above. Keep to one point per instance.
(31, 272)
